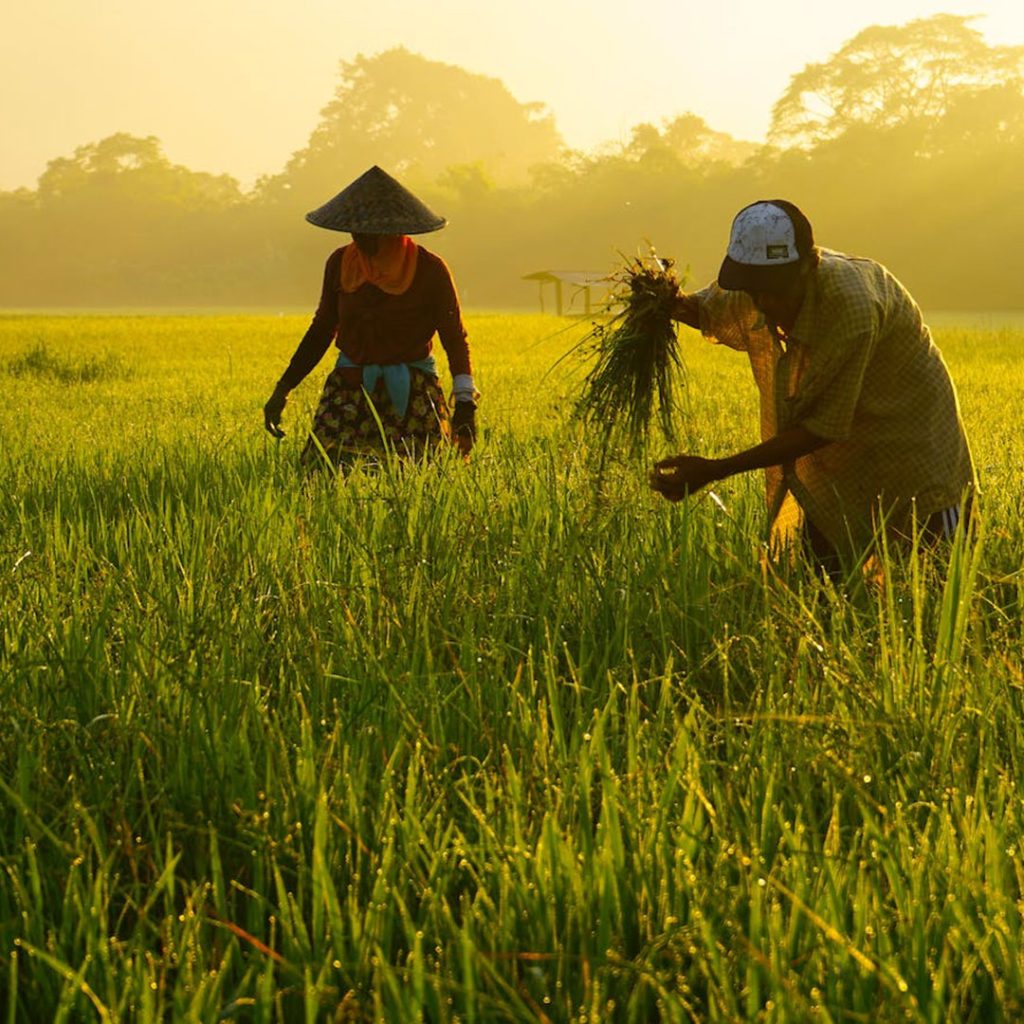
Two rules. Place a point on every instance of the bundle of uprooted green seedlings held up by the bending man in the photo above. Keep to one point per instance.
(637, 370)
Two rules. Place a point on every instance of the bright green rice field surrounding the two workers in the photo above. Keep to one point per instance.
(490, 742)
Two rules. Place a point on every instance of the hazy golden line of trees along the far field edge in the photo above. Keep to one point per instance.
(907, 145)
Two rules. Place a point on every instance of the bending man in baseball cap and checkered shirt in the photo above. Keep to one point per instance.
(861, 425)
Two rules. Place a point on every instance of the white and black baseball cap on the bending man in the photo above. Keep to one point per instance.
(767, 244)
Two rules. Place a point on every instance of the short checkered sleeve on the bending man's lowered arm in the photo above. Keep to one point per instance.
(835, 362)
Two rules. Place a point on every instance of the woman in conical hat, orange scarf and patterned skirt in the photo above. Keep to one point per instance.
(383, 302)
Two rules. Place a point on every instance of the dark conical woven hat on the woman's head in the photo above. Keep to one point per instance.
(376, 204)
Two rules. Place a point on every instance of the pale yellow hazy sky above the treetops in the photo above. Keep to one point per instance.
(236, 87)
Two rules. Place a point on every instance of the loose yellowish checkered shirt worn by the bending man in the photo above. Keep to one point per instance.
(860, 369)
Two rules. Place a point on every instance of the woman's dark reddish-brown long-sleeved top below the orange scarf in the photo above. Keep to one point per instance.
(371, 326)
